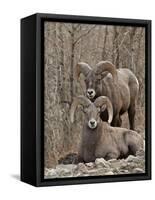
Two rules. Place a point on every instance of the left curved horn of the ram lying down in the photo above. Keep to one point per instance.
(80, 100)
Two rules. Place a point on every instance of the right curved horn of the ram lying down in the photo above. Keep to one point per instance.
(102, 100)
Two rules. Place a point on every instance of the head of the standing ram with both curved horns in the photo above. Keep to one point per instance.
(93, 77)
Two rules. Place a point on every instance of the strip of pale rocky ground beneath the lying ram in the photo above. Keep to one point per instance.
(101, 167)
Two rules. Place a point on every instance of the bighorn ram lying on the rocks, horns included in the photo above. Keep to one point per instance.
(99, 139)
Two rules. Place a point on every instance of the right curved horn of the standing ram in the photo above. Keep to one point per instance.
(106, 66)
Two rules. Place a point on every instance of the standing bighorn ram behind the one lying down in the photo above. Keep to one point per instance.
(120, 85)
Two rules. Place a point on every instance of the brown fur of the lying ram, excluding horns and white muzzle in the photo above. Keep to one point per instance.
(106, 141)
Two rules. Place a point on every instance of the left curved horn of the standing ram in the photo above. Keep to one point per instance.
(83, 68)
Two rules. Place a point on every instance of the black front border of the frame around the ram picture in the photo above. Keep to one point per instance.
(40, 19)
